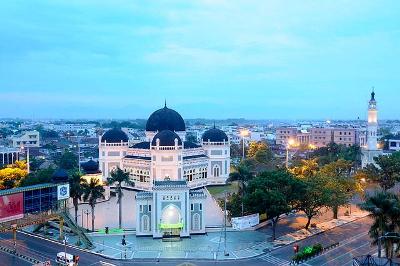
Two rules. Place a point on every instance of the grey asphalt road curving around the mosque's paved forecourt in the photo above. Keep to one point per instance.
(353, 239)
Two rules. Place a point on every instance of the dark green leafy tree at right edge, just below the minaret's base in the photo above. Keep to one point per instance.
(388, 171)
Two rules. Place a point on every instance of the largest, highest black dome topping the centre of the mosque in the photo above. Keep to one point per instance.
(165, 119)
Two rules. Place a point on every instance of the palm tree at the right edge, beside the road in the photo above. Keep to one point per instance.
(385, 210)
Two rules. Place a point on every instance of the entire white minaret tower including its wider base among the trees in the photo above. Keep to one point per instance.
(371, 150)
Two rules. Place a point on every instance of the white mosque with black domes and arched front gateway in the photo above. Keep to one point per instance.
(169, 172)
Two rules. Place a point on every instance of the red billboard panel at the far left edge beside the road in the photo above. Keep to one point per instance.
(11, 207)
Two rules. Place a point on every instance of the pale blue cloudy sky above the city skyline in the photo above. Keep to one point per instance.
(208, 58)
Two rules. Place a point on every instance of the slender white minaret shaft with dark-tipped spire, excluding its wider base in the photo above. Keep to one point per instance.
(372, 128)
